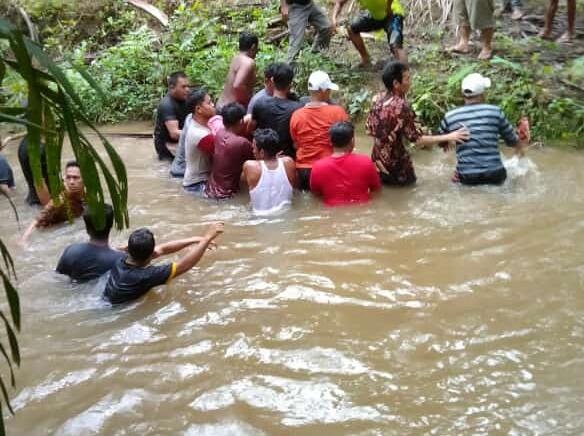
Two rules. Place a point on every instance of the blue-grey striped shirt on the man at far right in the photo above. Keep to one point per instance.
(485, 122)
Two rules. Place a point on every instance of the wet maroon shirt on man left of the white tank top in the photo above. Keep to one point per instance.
(229, 155)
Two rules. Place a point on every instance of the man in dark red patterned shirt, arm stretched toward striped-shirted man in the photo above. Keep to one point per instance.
(392, 122)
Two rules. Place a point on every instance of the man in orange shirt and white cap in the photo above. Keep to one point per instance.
(310, 125)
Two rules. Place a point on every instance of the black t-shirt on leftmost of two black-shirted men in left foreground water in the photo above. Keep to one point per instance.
(83, 262)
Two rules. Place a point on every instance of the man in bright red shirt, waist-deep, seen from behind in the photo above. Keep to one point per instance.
(344, 178)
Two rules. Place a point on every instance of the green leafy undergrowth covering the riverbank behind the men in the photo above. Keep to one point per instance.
(130, 56)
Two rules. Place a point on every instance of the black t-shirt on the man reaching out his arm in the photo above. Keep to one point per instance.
(129, 282)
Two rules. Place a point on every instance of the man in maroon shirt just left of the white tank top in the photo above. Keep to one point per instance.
(231, 150)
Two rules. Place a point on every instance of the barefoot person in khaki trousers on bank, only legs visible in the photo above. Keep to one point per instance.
(475, 15)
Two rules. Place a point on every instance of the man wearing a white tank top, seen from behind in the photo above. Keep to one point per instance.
(270, 178)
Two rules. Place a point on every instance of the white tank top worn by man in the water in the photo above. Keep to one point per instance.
(273, 192)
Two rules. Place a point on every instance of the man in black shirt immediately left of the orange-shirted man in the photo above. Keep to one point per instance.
(275, 112)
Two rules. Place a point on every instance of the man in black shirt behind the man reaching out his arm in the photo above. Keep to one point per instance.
(89, 260)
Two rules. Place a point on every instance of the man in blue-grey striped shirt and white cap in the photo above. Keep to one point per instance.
(478, 158)
